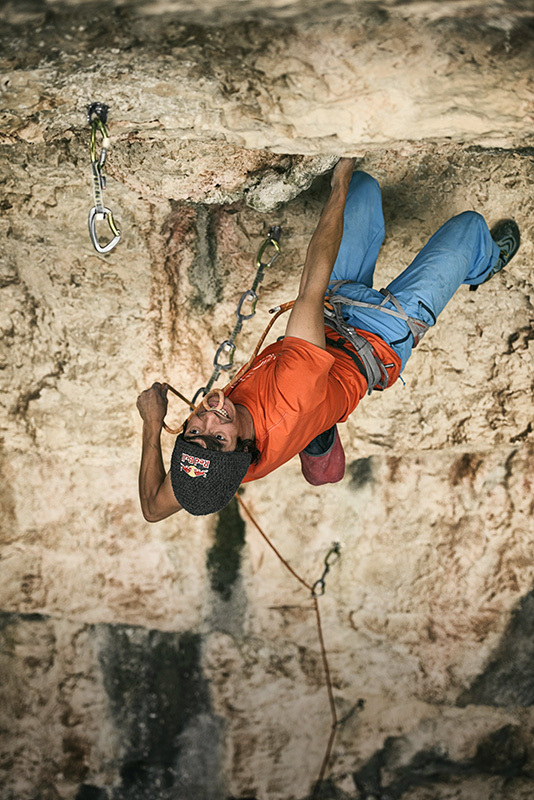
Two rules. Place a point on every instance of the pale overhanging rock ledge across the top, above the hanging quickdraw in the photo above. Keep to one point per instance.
(371, 77)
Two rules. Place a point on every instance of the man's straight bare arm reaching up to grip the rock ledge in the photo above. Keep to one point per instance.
(306, 320)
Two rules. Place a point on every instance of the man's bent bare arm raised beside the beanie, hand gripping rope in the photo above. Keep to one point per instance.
(155, 490)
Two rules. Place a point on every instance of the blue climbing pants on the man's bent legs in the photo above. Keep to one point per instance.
(462, 251)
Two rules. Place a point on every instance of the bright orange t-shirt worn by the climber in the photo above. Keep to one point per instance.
(295, 390)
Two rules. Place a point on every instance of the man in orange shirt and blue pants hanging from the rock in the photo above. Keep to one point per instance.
(297, 389)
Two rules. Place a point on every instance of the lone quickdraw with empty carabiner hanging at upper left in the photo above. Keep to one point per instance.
(97, 114)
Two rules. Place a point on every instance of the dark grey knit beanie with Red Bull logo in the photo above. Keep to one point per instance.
(204, 481)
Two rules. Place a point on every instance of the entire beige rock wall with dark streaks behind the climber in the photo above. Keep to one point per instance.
(182, 660)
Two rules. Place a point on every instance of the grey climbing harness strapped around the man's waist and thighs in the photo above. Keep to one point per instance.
(375, 371)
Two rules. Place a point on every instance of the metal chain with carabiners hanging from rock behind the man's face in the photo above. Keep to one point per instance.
(226, 349)
